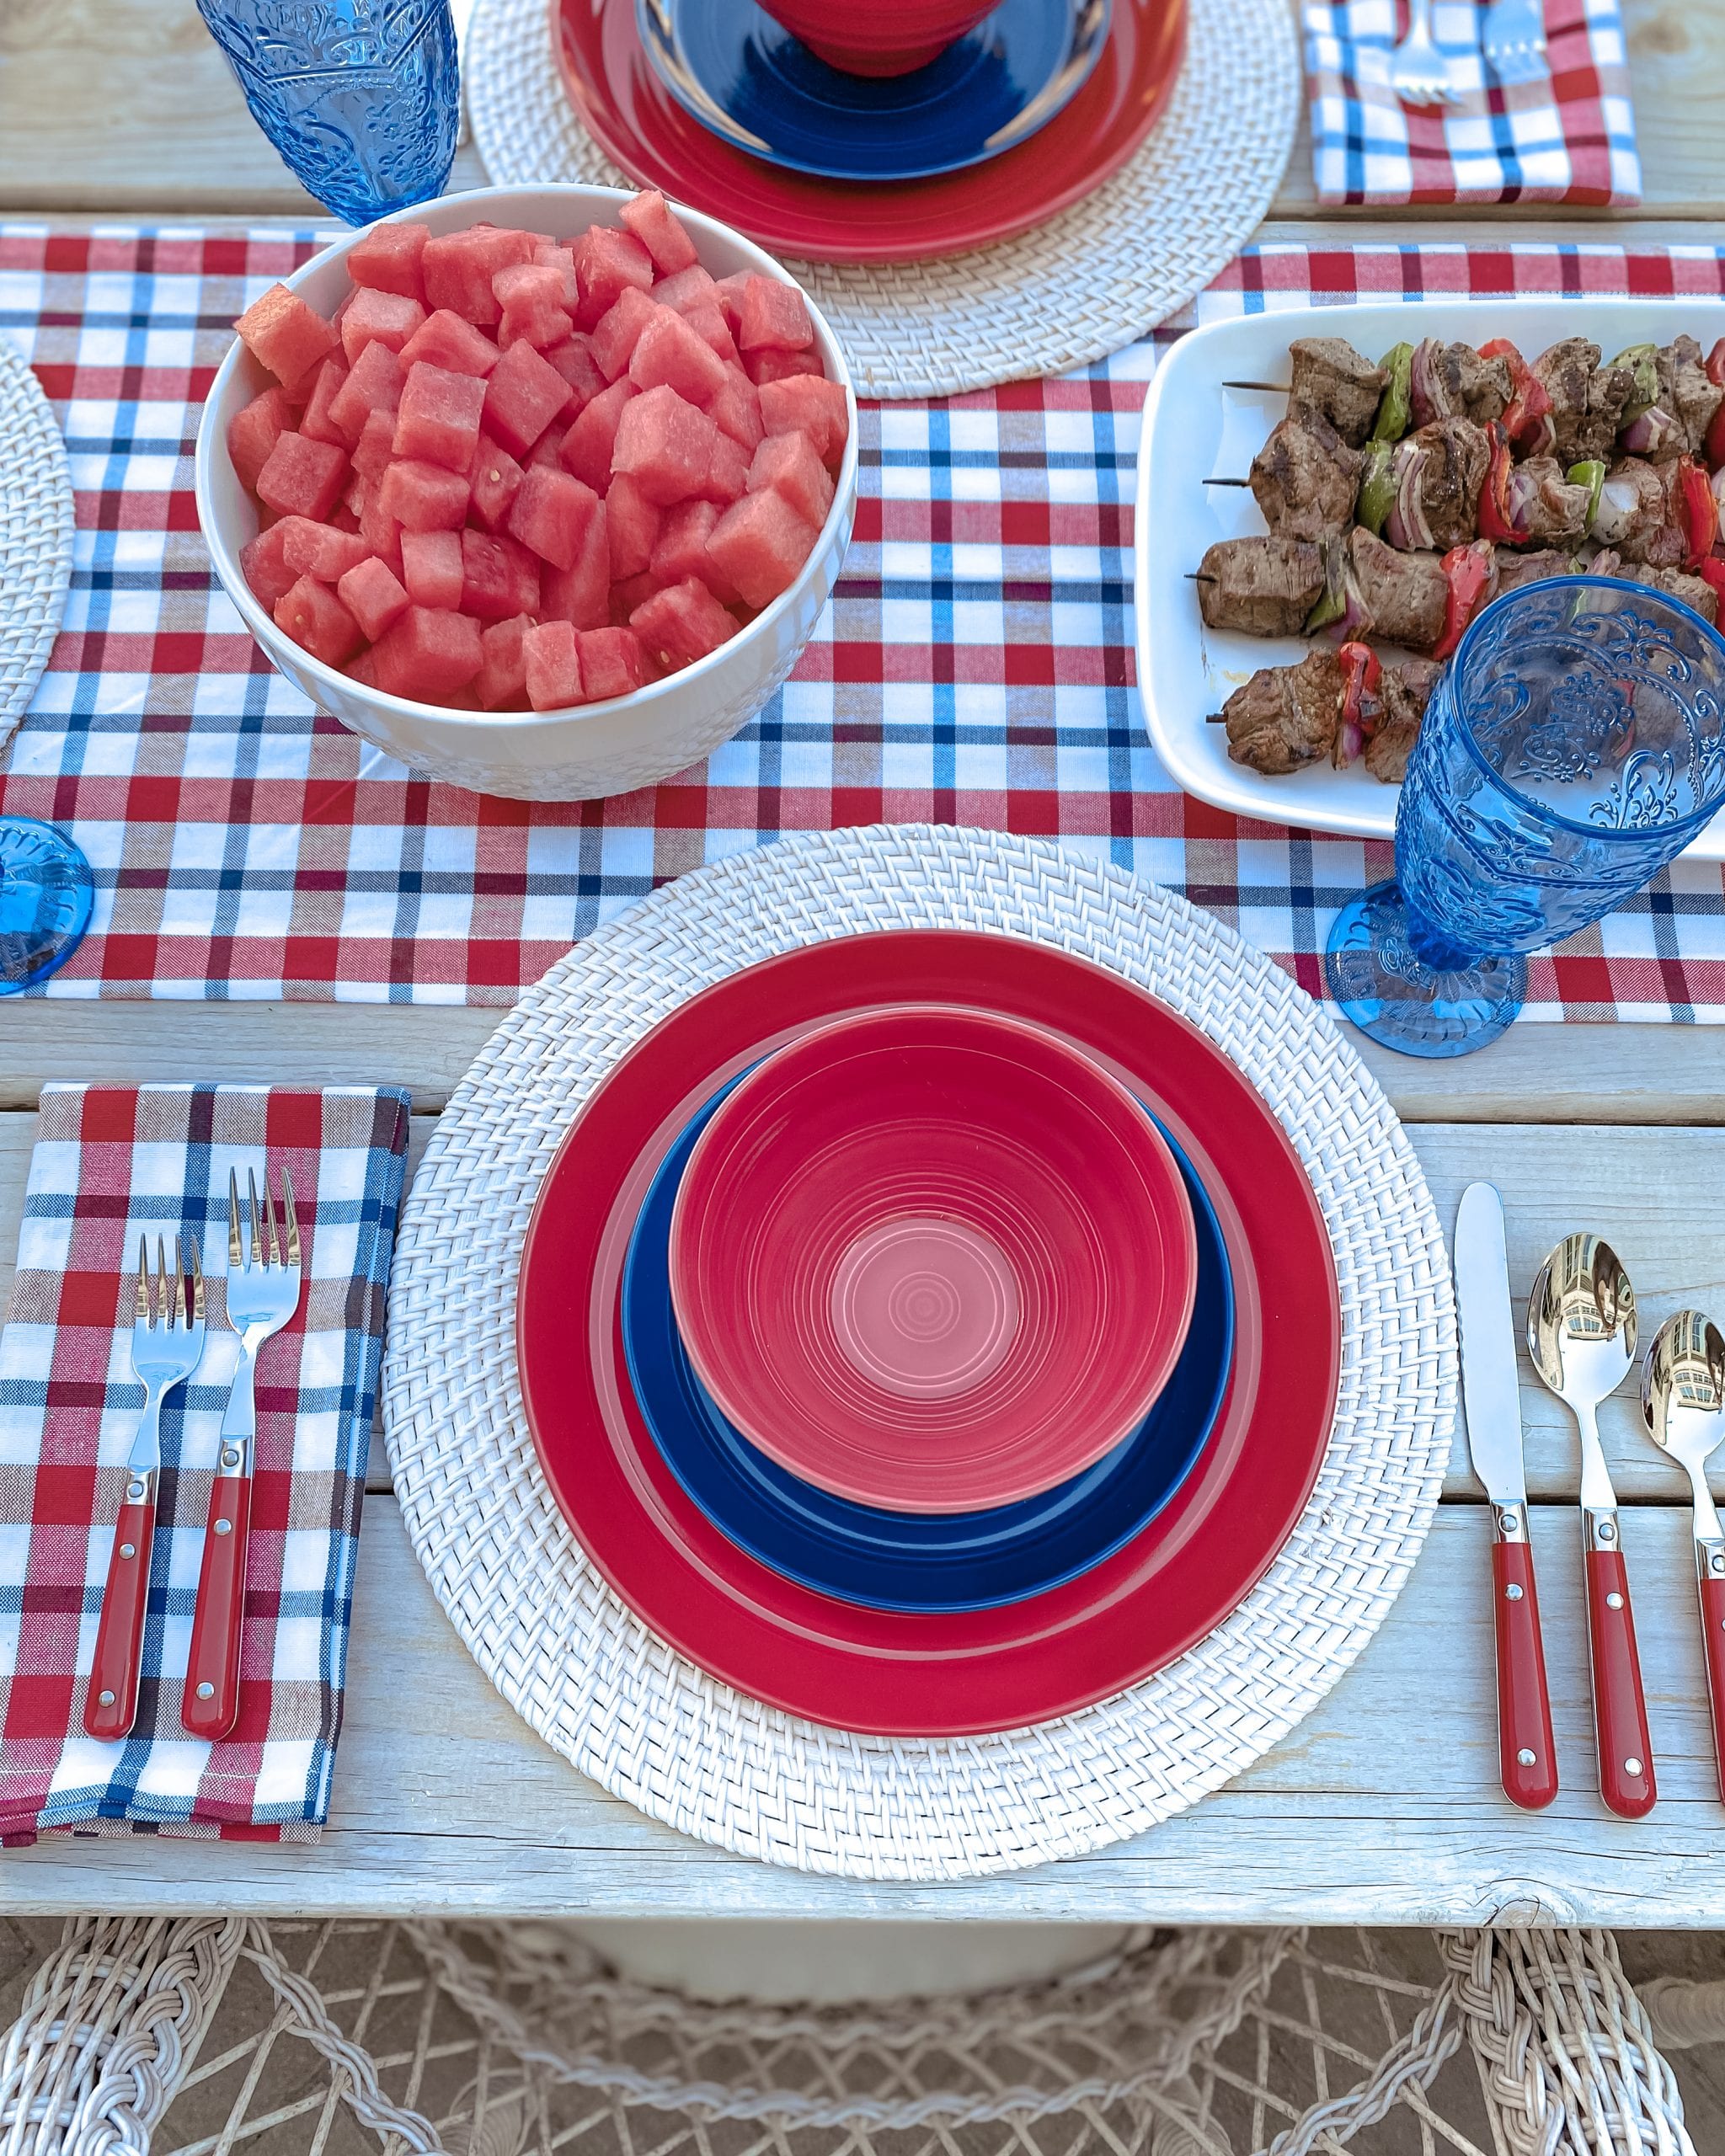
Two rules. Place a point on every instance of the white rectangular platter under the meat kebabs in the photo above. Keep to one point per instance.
(1198, 430)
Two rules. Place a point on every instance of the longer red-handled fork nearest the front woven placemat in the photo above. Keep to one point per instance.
(264, 1293)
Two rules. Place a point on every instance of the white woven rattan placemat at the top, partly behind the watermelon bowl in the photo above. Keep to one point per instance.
(1077, 288)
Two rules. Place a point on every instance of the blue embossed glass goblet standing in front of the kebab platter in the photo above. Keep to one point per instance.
(1573, 749)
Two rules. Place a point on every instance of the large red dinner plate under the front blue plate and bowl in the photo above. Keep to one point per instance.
(885, 1672)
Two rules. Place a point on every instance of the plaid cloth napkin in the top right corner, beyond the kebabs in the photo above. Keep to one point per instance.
(1567, 139)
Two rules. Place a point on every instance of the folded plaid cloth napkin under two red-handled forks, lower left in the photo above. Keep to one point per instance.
(115, 1163)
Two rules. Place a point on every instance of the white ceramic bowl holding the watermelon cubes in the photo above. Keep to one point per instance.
(536, 756)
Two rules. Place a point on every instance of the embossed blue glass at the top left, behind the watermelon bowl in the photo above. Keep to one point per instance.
(361, 98)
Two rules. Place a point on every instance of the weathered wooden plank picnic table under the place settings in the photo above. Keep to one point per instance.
(1383, 1806)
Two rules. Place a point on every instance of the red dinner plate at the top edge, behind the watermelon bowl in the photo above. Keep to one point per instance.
(641, 126)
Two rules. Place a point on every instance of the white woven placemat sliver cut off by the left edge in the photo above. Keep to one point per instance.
(36, 534)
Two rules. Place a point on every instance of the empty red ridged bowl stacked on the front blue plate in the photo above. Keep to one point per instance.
(933, 1260)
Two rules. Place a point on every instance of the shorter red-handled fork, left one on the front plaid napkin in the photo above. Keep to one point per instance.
(167, 1344)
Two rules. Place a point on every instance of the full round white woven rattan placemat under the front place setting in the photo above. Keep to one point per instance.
(676, 1743)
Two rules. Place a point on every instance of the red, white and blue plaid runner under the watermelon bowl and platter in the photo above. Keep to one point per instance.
(976, 667)
